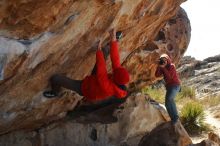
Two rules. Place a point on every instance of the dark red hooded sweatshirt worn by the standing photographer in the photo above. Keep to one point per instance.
(169, 72)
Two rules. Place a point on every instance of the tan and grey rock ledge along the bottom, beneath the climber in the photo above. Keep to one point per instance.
(137, 117)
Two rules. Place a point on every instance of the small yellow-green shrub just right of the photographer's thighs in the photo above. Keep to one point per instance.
(187, 92)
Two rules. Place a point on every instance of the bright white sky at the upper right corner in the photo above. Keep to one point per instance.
(204, 16)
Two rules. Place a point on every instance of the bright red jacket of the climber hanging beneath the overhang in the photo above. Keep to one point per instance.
(101, 86)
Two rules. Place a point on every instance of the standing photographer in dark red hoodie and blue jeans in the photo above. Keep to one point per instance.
(167, 69)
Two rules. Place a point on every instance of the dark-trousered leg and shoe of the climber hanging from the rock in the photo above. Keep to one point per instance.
(57, 81)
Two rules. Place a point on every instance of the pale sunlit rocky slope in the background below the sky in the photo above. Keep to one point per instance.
(203, 75)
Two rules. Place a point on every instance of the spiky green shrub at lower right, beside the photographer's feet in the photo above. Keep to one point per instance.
(192, 117)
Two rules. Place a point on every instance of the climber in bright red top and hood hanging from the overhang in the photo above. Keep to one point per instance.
(99, 85)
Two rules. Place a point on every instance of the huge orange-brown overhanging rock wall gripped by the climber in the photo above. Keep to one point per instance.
(40, 38)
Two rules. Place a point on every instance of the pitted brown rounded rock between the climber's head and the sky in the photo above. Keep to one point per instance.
(172, 39)
